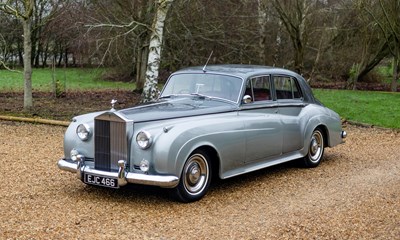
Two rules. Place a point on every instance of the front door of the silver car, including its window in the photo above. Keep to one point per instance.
(263, 127)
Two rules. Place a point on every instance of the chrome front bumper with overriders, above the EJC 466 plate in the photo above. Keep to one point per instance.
(80, 168)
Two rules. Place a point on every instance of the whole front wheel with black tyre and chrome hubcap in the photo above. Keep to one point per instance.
(195, 178)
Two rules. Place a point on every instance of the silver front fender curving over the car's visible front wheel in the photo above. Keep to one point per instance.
(172, 148)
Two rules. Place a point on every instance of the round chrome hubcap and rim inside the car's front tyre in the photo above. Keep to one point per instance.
(196, 173)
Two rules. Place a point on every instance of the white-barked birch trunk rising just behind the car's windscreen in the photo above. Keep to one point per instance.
(150, 89)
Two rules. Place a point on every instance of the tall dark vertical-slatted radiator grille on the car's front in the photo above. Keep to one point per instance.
(110, 144)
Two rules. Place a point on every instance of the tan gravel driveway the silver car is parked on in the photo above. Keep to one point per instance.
(353, 194)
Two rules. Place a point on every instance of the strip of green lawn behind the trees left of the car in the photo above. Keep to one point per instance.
(73, 78)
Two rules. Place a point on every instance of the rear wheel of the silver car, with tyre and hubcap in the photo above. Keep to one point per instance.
(315, 149)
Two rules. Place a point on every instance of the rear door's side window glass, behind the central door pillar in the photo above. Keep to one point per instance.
(286, 88)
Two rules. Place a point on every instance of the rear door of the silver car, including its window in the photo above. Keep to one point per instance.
(290, 103)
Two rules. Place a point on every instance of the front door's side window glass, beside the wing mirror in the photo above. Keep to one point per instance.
(259, 88)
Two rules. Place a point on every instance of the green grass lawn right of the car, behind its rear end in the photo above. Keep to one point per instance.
(374, 108)
